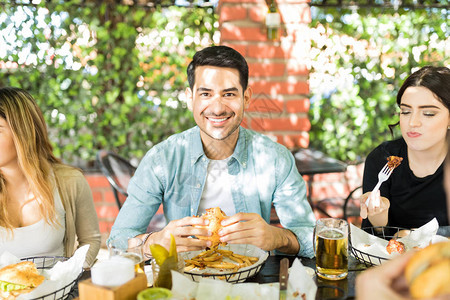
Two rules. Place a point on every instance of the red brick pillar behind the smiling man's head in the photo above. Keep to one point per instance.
(278, 71)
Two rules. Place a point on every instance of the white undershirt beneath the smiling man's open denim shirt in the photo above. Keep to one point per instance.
(217, 191)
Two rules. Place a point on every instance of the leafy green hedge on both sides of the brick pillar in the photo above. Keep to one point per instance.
(111, 76)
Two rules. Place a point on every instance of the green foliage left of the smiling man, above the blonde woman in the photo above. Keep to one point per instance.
(106, 76)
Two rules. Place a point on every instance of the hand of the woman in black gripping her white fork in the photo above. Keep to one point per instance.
(378, 214)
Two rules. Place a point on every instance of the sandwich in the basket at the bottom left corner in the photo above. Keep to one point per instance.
(19, 279)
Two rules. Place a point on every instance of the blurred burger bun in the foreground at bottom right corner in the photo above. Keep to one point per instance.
(428, 271)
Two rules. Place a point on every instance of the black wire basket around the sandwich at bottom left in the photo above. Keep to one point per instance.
(47, 262)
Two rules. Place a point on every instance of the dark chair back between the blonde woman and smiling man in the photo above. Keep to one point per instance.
(118, 171)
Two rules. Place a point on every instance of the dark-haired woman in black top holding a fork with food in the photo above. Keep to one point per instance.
(413, 194)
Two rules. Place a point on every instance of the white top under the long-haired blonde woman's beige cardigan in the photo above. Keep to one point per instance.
(38, 239)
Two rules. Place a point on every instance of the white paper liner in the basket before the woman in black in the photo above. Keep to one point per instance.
(372, 245)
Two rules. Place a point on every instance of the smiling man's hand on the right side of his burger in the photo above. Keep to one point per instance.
(251, 228)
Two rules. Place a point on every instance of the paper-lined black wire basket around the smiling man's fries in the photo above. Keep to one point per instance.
(238, 276)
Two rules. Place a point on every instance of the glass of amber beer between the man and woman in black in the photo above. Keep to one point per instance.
(331, 248)
